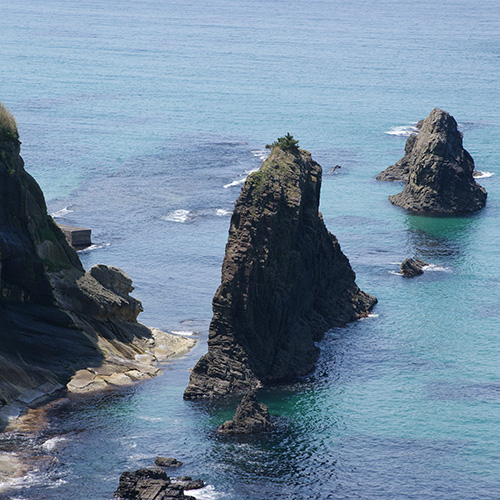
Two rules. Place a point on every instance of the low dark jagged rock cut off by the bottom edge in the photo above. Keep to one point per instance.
(149, 484)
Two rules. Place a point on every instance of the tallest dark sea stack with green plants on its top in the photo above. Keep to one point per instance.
(285, 281)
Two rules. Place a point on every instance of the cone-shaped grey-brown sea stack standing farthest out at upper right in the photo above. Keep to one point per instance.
(440, 171)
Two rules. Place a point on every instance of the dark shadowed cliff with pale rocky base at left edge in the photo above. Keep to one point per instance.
(56, 319)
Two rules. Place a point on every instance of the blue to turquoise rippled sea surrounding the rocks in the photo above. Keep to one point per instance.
(140, 119)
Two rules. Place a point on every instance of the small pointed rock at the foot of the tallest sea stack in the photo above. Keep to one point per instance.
(251, 417)
